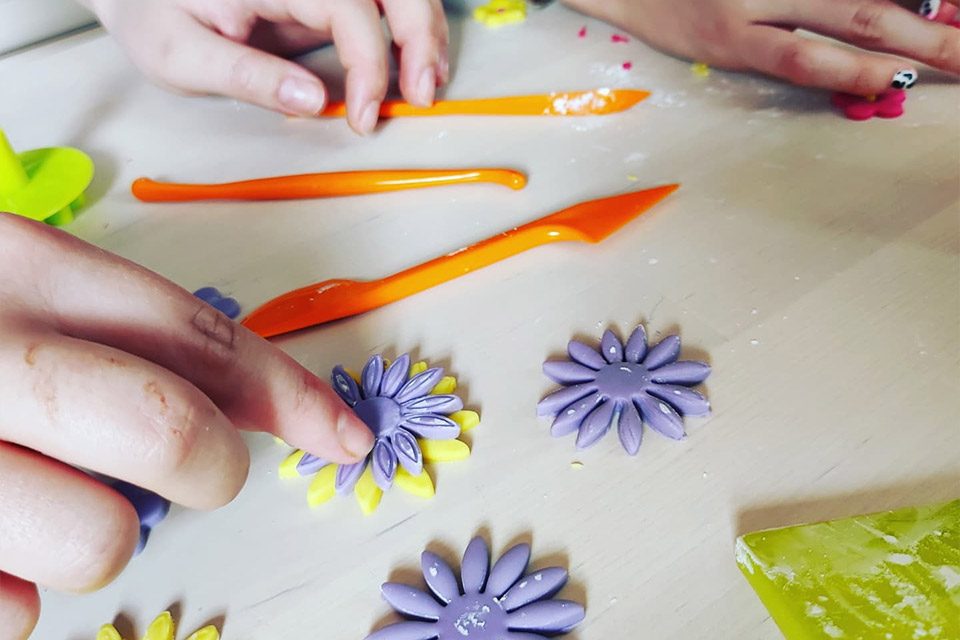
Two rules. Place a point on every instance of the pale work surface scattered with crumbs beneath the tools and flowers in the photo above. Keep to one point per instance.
(814, 262)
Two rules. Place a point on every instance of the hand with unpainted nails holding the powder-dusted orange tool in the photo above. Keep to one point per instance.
(218, 46)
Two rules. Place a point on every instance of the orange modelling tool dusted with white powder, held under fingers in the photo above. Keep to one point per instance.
(574, 103)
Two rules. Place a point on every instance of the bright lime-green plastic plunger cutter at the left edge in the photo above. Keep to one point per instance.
(43, 184)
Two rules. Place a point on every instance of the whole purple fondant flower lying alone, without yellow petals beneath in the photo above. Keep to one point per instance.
(623, 385)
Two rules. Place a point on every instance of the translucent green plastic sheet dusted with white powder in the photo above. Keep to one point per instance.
(886, 576)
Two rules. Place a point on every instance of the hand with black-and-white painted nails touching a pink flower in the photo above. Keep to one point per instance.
(758, 35)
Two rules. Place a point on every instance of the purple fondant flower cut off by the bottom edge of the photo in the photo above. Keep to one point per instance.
(506, 603)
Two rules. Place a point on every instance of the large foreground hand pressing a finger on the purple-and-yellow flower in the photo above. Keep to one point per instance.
(109, 367)
